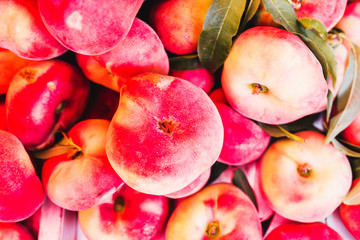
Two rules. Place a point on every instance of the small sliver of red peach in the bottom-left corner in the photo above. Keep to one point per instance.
(14, 231)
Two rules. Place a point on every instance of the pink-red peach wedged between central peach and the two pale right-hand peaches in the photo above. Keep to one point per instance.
(244, 140)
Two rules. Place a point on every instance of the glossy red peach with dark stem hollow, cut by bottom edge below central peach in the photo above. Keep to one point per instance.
(129, 215)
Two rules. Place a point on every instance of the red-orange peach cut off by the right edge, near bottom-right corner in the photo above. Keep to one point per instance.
(350, 216)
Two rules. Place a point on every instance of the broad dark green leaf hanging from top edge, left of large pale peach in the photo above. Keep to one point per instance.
(221, 24)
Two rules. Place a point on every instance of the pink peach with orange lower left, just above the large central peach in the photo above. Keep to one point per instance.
(130, 57)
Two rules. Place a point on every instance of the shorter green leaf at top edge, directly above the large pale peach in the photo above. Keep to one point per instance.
(283, 13)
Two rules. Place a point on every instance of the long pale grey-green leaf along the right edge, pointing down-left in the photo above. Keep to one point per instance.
(348, 98)
